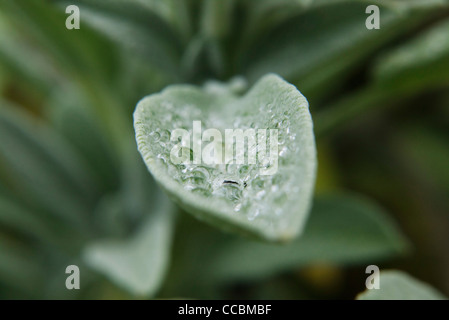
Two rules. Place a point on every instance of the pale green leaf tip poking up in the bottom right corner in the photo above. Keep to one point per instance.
(397, 285)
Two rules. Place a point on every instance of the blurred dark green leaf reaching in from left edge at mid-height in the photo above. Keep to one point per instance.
(43, 168)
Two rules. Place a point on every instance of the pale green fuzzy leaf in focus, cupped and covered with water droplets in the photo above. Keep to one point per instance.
(234, 197)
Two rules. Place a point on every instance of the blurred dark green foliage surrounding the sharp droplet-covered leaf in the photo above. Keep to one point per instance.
(74, 190)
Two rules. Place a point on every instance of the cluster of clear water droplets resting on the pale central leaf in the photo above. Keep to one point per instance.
(242, 186)
